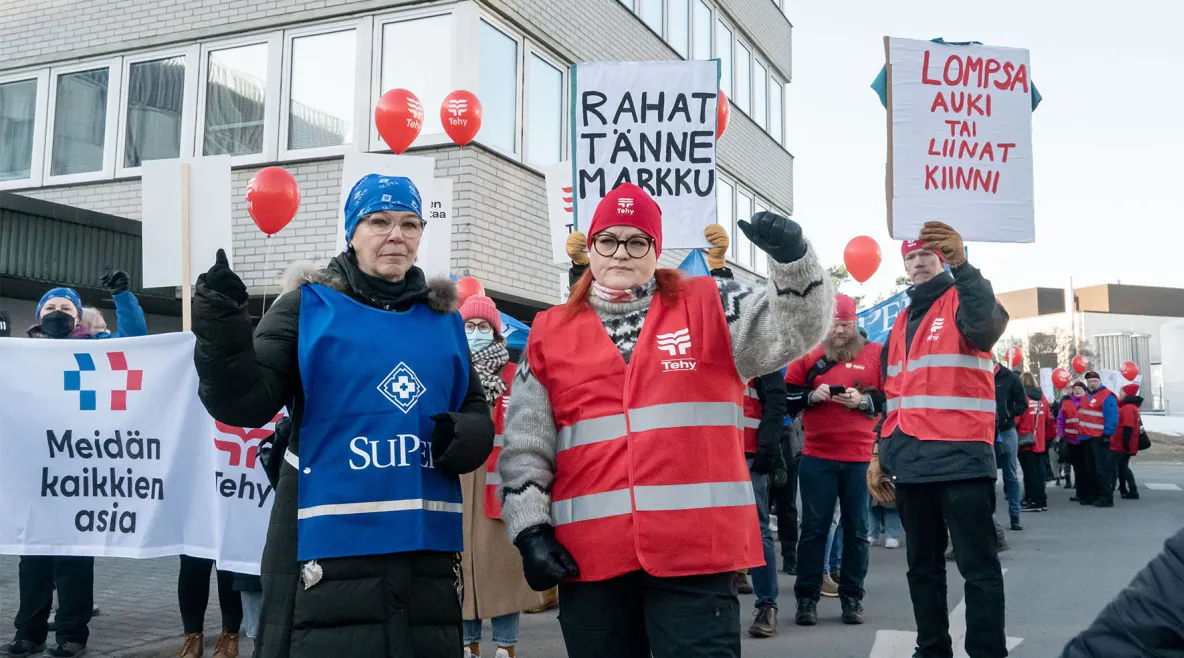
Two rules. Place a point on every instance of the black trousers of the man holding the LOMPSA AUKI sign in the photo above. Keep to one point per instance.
(967, 508)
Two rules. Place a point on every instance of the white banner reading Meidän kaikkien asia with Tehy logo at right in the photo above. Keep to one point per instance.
(106, 450)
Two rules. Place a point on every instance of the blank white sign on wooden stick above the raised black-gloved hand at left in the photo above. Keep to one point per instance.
(210, 218)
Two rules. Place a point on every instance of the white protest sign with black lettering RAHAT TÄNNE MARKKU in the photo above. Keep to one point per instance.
(652, 124)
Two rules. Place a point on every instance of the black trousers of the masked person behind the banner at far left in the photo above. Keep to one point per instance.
(75, 582)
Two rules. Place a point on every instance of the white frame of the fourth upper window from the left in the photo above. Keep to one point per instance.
(274, 41)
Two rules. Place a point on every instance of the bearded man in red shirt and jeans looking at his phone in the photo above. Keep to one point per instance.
(838, 389)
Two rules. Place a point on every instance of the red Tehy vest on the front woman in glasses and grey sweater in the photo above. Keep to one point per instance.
(651, 472)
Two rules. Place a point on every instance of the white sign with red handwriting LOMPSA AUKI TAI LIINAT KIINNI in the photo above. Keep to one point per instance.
(961, 144)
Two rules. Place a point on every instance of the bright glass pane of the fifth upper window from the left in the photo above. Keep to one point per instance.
(321, 91)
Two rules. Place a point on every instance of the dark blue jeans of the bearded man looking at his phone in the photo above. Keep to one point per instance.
(825, 482)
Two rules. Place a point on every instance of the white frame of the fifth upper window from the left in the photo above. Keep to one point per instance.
(364, 42)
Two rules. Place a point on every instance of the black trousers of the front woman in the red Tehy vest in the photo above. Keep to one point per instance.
(636, 616)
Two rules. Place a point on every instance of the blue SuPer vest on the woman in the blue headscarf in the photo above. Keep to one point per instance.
(372, 382)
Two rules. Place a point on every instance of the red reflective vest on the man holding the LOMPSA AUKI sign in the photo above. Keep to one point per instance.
(947, 389)
